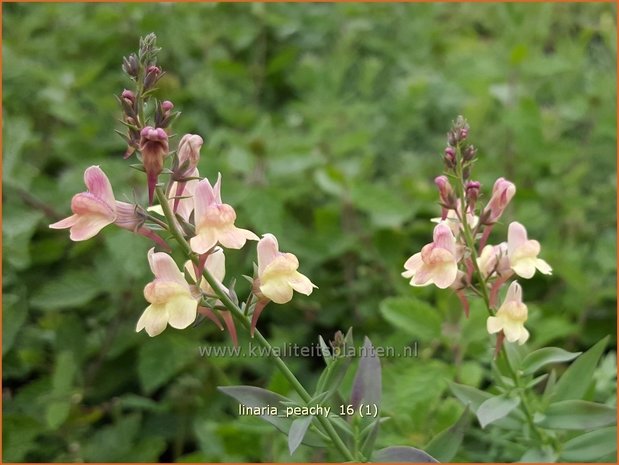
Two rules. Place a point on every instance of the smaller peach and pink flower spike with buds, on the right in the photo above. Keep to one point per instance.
(460, 258)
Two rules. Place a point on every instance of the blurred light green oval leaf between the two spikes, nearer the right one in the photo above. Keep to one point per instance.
(416, 317)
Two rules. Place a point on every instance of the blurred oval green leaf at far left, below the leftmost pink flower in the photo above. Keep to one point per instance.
(73, 289)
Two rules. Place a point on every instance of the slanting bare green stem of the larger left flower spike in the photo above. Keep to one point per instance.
(238, 315)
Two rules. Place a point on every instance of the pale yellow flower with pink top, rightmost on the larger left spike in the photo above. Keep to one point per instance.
(277, 272)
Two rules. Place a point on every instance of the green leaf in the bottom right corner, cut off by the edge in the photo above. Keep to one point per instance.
(590, 446)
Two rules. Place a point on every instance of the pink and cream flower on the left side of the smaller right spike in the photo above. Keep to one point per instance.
(437, 263)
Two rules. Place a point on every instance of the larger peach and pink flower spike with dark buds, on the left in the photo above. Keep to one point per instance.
(190, 209)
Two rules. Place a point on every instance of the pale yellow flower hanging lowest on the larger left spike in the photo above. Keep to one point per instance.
(170, 297)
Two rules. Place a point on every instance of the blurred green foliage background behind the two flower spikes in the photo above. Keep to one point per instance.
(327, 122)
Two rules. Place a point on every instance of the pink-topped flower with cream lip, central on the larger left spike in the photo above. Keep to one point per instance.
(214, 220)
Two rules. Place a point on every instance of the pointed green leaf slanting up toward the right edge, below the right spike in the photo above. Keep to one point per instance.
(578, 377)
